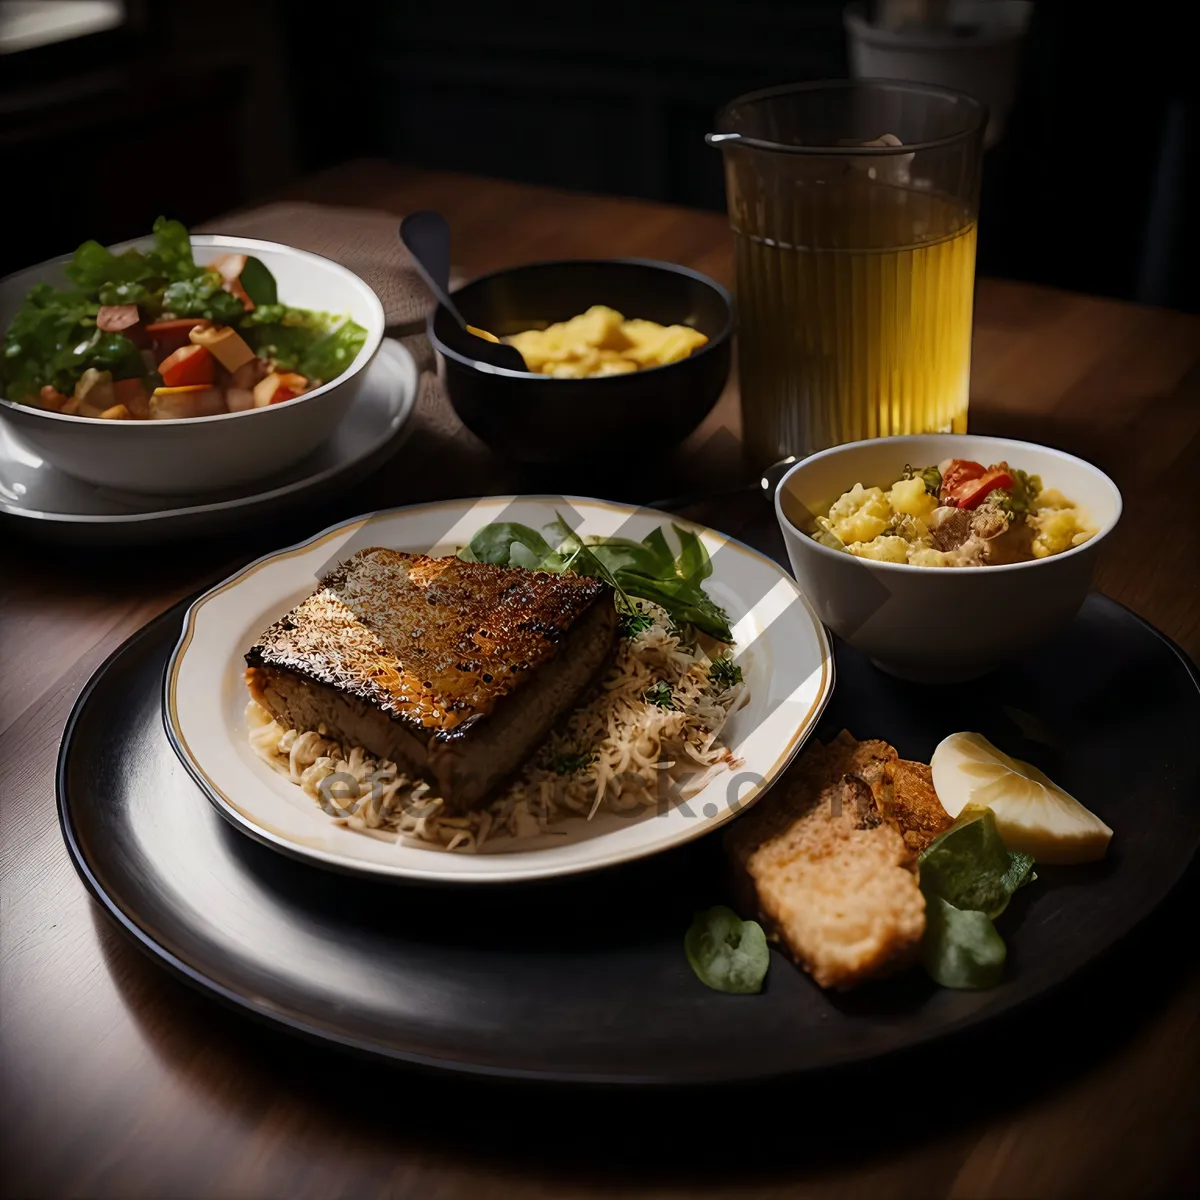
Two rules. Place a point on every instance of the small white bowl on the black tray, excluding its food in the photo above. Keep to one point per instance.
(940, 625)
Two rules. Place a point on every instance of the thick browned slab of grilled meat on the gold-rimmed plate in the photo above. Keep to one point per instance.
(457, 671)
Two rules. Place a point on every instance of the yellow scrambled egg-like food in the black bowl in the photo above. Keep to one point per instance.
(602, 343)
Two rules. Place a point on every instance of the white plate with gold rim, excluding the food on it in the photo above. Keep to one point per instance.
(783, 649)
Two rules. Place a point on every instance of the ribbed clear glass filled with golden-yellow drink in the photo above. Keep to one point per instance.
(854, 207)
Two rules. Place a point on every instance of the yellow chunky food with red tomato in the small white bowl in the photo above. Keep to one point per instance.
(957, 514)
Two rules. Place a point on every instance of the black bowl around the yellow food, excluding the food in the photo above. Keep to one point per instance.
(539, 419)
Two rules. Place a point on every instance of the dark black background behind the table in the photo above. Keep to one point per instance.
(197, 109)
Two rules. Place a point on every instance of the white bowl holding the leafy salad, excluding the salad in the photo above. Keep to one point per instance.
(206, 454)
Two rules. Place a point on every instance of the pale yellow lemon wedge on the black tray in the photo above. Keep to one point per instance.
(1034, 814)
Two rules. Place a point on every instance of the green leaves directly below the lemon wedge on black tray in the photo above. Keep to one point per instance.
(968, 877)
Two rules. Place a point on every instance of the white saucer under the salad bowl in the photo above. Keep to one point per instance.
(43, 502)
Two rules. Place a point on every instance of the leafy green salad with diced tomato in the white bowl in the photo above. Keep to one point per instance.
(146, 334)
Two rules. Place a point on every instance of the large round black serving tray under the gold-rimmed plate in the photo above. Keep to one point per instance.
(586, 980)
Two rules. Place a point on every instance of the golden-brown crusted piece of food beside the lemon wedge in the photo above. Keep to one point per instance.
(830, 877)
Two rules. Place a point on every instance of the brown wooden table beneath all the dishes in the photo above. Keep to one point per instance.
(118, 1082)
